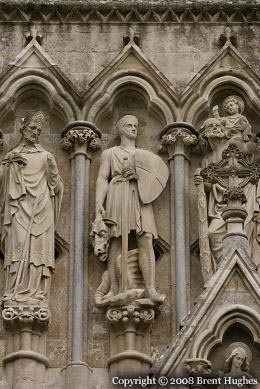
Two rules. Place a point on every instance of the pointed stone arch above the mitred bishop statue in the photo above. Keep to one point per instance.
(33, 71)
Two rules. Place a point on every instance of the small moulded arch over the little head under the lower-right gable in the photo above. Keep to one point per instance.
(220, 323)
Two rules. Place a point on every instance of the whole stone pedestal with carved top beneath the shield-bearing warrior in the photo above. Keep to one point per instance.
(130, 339)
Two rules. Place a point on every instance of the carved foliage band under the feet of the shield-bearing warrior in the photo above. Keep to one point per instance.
(130, 314)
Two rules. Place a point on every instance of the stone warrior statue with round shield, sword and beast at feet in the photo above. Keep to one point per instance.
(129, 180)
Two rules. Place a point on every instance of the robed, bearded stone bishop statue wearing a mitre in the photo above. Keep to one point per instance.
(31, 193)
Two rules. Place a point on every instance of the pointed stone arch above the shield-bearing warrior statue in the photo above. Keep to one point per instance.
(131, 69)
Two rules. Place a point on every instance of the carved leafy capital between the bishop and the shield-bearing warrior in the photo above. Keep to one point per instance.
(81, 136)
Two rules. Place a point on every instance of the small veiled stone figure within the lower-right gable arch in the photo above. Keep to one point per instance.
(238, 357)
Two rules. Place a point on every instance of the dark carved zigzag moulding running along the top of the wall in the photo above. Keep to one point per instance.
(131, 11)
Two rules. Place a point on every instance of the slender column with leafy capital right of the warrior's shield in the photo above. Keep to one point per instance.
(177, 138)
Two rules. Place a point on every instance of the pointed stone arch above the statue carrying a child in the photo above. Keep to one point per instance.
(227, 69)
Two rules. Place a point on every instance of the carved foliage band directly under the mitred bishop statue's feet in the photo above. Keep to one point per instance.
(25, 315)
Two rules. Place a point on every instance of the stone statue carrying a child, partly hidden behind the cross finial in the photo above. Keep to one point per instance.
(218, 133)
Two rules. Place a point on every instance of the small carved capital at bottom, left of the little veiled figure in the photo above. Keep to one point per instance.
(198, 370)
